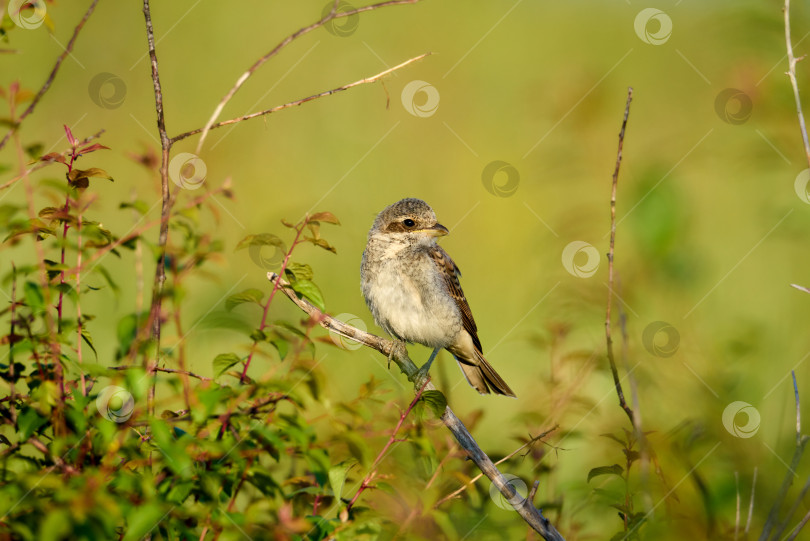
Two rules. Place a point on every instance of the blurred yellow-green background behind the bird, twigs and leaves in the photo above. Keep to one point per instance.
(710, 229)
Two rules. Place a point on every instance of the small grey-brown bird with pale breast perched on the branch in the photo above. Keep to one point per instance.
(412, 288)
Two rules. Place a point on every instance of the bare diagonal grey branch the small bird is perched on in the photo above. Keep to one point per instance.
(397, 352)
